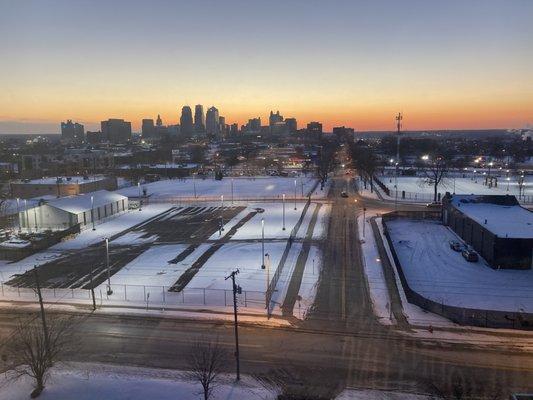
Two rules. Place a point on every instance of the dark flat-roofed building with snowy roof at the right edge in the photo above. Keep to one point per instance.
(497, 227)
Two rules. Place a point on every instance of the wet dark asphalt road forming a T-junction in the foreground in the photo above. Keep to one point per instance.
(339, 345)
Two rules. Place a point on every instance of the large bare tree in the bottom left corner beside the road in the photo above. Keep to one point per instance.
(32, 350)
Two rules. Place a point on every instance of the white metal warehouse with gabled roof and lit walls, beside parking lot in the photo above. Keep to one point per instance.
(65, 212)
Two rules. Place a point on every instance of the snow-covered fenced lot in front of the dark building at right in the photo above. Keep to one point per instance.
(442, 275)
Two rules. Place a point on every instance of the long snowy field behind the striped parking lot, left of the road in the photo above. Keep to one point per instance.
(259, 187)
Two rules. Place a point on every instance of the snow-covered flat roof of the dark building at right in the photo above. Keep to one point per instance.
(511, 221)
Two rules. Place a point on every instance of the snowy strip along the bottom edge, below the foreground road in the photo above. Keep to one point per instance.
(105, 381)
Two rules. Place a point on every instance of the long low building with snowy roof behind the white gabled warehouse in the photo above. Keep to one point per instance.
(61, 186)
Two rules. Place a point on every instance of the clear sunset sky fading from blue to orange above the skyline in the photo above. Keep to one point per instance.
(455, 64)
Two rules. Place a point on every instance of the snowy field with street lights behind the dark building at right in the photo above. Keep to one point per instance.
(417, 185)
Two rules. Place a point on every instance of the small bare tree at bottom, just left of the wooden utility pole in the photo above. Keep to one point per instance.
(206, 360)
